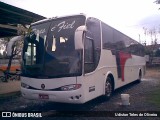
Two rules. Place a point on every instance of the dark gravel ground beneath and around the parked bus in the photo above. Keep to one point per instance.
(138, 102)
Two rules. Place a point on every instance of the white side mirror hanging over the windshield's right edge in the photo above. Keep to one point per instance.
(78, 37)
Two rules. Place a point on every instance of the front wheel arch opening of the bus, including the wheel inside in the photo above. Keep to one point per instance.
(109, 86)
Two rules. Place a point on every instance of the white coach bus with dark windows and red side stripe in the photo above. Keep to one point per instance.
(74, 59)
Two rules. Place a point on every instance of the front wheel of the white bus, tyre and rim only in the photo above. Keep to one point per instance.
(108, 88)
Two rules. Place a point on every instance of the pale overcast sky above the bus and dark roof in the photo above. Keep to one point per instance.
(124, 15)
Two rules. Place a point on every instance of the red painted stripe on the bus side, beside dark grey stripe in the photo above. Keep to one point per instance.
(123, 58)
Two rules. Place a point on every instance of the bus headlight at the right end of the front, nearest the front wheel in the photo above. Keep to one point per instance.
(71, 87)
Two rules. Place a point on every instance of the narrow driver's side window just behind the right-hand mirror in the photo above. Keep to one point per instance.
(88, 55)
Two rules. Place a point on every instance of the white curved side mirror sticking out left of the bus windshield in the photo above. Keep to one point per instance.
(11, 43)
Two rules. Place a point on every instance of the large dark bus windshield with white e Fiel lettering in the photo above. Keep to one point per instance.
(49, 50)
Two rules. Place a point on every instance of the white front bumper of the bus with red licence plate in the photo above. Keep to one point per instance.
(74, 96)
